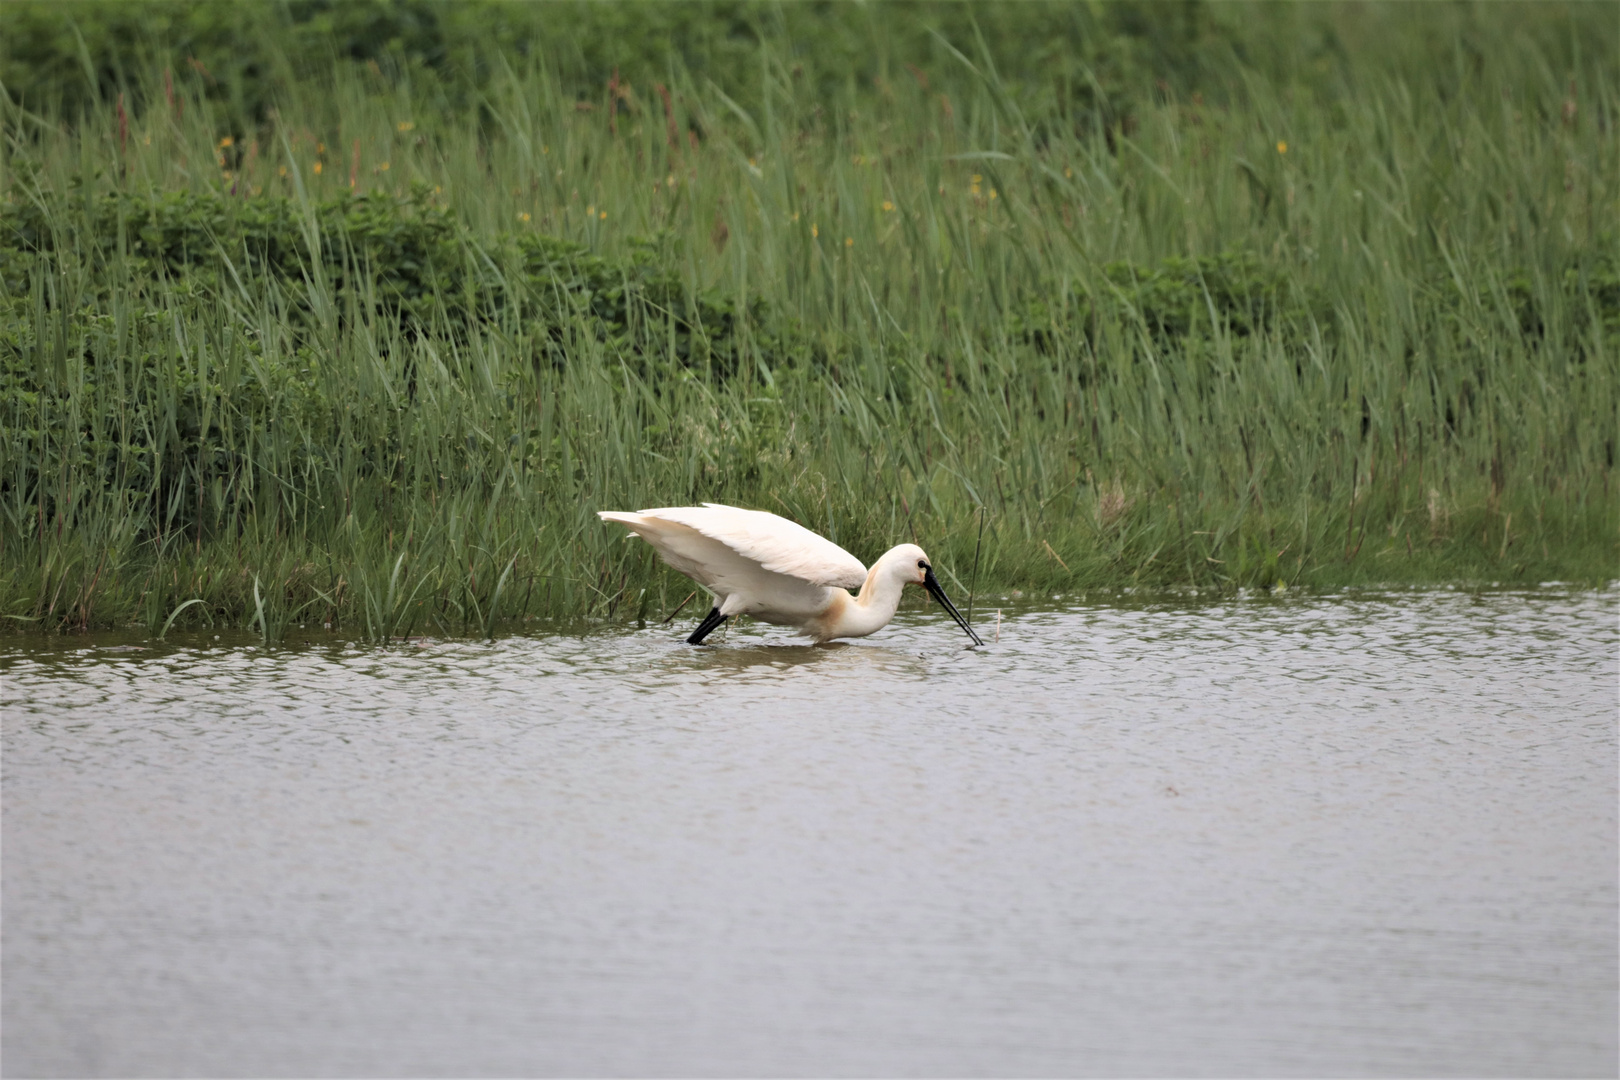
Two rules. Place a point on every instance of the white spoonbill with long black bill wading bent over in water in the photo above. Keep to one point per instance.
(759, 564)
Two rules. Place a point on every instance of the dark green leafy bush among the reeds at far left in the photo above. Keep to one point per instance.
(401, 270)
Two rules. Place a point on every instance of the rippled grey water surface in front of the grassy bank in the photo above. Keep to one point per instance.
(1354, 836)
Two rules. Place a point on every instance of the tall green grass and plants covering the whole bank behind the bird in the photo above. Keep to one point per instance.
(359, 313)
